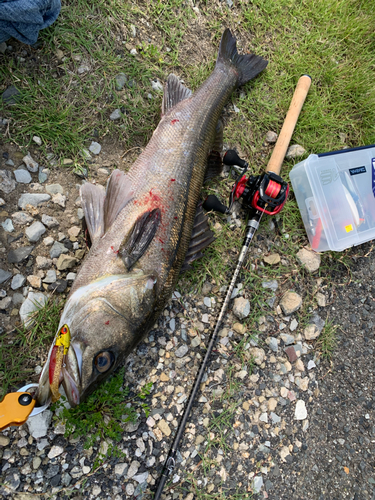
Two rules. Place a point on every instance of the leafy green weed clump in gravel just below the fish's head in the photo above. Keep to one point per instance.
(102, 415)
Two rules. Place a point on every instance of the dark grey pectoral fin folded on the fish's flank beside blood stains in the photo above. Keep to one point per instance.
(140, 237)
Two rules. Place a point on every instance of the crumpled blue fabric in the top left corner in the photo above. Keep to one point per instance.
(23, 19)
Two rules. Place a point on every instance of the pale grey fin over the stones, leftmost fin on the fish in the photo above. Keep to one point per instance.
(92, 196)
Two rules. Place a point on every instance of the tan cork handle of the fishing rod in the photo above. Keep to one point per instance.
(281, 146)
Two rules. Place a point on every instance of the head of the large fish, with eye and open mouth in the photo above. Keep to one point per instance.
(105, 319)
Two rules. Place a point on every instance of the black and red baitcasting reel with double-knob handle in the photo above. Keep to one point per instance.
(266, 192)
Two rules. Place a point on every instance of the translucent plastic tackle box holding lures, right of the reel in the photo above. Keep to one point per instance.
(336, 196)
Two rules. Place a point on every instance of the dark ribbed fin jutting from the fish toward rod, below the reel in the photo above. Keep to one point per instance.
(201, 238)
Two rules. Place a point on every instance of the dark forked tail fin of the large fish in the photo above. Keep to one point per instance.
(246, 67)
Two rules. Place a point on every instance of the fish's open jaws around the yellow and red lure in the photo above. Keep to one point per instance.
(69, 376)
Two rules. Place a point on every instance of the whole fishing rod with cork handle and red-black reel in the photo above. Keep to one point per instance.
(266, 193)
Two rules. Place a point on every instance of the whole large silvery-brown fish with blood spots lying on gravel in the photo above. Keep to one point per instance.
(144, 228)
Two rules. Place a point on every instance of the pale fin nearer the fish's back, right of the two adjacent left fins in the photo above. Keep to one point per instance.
(119, 193)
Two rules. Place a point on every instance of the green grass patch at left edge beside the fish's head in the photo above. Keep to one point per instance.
(22, 350)
